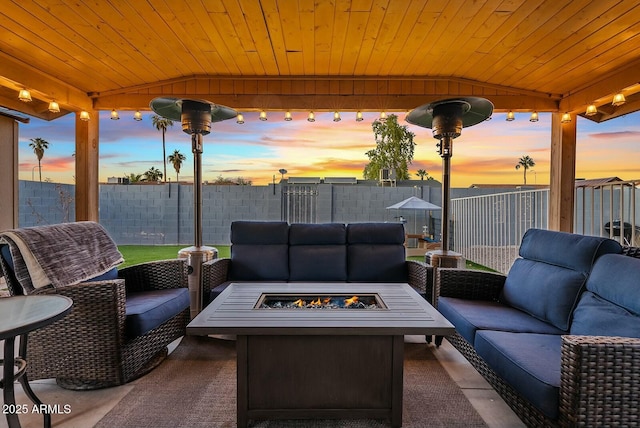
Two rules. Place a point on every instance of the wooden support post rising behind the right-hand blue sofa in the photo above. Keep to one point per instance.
(563, 173)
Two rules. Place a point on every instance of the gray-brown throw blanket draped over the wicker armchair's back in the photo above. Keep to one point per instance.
(61, 254)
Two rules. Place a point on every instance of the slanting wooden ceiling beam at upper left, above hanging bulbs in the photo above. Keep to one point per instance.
(17, 75)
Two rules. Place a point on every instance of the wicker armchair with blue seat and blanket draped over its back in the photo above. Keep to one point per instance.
(121, 321)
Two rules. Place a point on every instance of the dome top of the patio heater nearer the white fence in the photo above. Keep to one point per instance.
(474, 111)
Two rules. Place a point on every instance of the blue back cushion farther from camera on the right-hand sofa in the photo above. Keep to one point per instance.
(550, 275)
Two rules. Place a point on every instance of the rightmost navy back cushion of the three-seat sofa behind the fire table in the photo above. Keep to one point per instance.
(376, 253)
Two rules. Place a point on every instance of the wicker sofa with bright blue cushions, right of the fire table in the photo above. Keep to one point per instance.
(559, 336)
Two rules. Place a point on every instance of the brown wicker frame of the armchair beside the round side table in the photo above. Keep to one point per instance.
(89, 349)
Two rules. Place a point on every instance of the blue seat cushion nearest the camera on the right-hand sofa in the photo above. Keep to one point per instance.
(529, 362)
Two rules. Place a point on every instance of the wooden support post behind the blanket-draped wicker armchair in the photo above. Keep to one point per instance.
(87, 190)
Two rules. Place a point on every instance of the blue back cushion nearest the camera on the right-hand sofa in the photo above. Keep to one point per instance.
(611, 304)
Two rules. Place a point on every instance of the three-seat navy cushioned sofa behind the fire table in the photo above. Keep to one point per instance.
(333, 252)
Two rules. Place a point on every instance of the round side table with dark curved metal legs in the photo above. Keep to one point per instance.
(18, 316)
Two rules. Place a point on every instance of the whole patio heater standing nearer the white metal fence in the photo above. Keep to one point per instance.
(447, 118)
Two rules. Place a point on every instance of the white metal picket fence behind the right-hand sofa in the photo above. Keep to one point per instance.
(488, 229)
